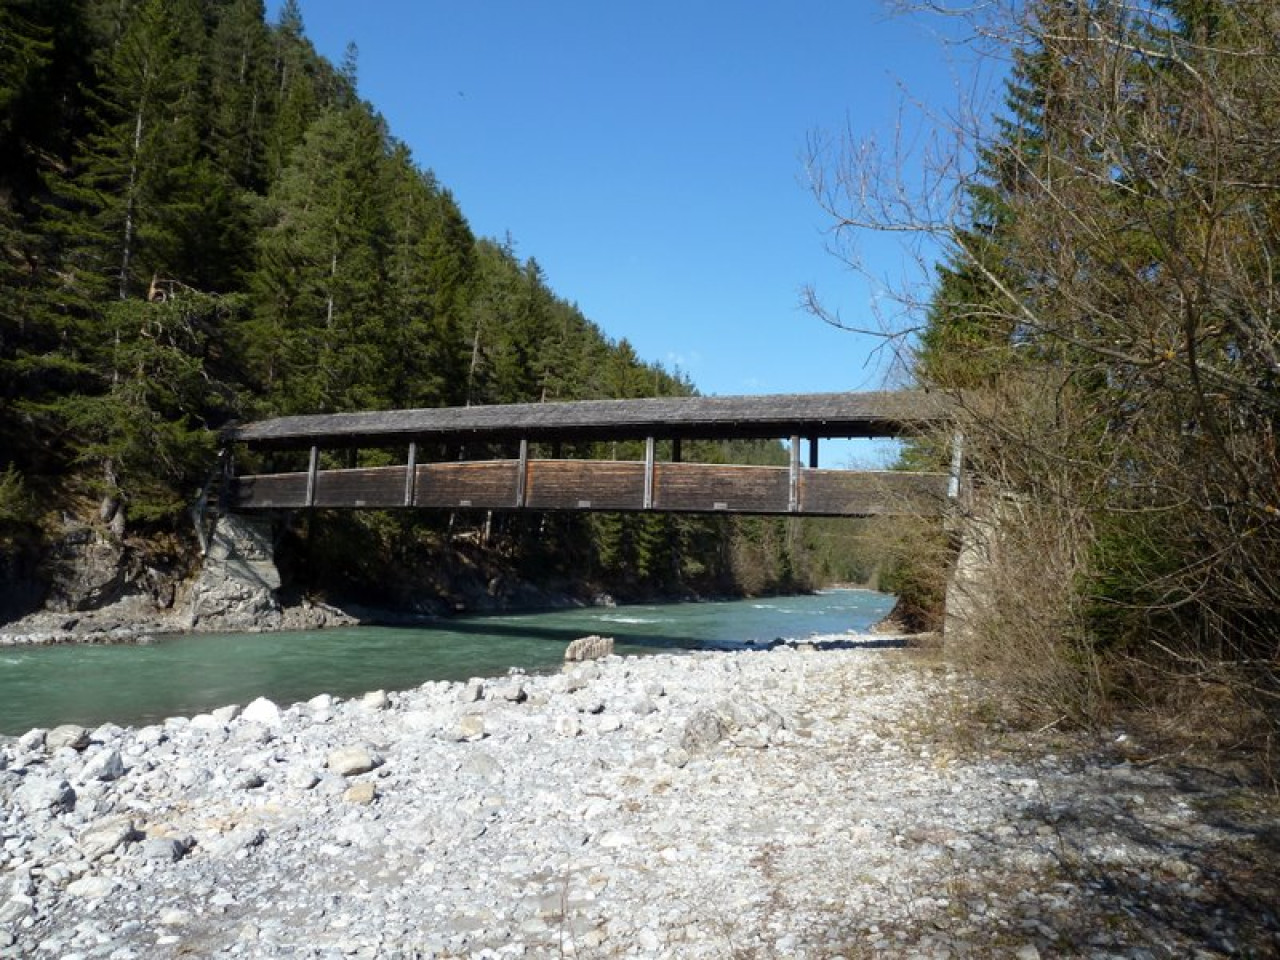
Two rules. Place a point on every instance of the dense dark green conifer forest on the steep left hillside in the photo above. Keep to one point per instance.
(202, 222)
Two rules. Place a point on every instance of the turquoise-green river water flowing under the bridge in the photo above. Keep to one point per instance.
(182, 675)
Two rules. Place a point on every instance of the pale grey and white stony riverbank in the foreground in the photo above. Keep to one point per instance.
(830, 801)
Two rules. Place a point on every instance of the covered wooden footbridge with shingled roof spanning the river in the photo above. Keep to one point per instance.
(519, 481)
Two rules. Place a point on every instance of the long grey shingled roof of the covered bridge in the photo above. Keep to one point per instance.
(825, 415)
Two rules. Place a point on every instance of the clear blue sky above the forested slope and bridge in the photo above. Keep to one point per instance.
(651, 157)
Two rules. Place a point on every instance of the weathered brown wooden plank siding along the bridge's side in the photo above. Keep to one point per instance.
(602, 486)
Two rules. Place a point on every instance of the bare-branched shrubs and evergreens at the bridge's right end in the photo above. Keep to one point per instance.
(1108, 310)
